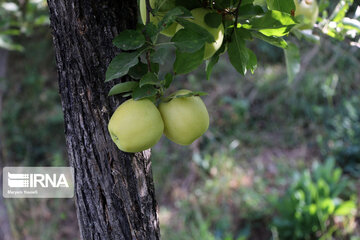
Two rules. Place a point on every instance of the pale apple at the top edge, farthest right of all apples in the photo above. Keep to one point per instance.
(309, 9)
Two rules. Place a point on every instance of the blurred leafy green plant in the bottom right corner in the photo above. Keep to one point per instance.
(318, 205)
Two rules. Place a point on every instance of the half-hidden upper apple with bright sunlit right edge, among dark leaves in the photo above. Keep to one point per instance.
(218, 33)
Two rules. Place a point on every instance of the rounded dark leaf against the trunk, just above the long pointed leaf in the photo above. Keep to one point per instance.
(129, 40)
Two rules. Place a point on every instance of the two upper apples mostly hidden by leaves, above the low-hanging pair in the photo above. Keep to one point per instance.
(198, 14)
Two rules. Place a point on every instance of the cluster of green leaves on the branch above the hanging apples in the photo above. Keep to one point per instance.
(243, 20)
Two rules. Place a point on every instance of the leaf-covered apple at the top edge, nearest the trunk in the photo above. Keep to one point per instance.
(163, 6)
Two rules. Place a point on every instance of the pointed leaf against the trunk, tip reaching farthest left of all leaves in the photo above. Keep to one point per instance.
(121, 64)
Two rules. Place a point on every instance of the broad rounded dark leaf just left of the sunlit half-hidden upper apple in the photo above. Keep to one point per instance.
(188, 41)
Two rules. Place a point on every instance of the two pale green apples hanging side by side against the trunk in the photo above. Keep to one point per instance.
(138, 125)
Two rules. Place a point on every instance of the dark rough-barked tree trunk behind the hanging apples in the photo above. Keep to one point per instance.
(115, 197)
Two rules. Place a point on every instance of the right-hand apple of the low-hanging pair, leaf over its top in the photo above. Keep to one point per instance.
(185, 118)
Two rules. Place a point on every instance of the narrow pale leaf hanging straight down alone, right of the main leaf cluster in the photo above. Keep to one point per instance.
(292, 58)
